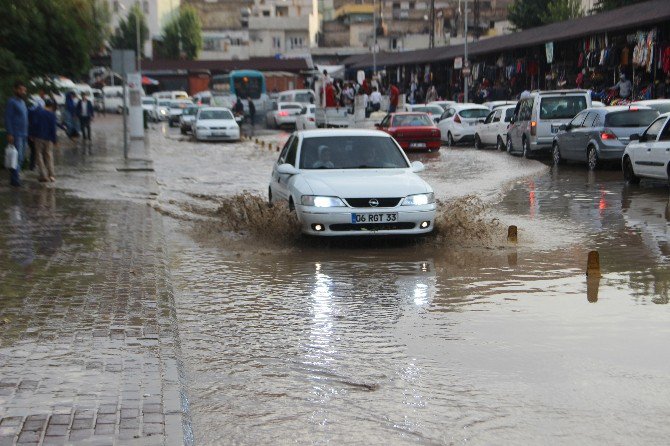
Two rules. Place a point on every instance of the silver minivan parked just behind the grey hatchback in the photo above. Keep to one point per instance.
(538, 117)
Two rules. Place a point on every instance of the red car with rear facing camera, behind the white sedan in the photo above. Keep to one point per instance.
(413, 131)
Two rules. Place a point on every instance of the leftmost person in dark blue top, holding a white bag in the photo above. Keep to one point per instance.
(16, 124)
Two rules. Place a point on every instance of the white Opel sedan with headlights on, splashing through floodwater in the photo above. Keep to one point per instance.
(352, 182)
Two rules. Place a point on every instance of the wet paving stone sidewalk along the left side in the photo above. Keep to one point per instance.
(89, 349)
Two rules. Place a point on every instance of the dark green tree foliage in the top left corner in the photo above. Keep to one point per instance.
(50, 36)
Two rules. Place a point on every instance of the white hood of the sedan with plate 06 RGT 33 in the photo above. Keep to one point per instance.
(364, 183)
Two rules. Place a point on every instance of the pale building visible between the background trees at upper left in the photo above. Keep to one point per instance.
(157, 13)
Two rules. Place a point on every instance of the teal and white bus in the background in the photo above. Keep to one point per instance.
(243, 84)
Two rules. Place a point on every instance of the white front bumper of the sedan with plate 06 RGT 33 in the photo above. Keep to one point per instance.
(337, 222)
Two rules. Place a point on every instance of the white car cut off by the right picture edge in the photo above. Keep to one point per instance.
(648, 154)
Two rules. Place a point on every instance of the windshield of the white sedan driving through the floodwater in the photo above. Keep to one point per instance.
(351, 152)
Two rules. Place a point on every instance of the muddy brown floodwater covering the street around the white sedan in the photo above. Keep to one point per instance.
(456, 338)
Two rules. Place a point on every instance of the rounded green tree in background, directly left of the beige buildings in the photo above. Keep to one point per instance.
(183, 34)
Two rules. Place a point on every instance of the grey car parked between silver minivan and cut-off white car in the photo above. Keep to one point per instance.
(600, 134)
